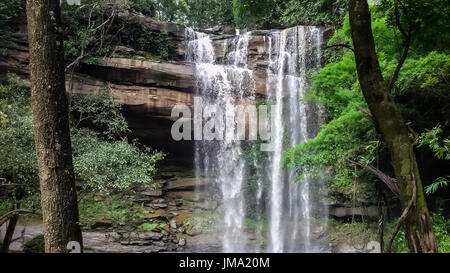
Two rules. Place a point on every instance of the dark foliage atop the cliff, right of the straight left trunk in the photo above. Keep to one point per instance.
(93, 30)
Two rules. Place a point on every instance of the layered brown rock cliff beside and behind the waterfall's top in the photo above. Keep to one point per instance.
(148, 88)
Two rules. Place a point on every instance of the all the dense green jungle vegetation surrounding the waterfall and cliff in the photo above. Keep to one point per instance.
(348, 152)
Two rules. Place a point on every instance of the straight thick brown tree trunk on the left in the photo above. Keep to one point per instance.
(51, 126)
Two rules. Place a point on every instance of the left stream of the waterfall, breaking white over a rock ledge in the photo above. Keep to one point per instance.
(221, 87)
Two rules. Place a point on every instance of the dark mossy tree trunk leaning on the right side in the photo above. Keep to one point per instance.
(418, 225)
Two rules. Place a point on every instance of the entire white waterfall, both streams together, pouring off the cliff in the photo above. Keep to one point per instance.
(222, 85)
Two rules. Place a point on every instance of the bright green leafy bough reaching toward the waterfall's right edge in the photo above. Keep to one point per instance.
(348, 137)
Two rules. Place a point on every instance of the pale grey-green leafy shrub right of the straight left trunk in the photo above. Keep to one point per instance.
(111, 166)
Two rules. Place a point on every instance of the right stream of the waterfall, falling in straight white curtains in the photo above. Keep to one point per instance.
(292, 52)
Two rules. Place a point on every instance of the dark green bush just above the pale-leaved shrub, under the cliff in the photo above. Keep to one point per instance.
(103, 113)
